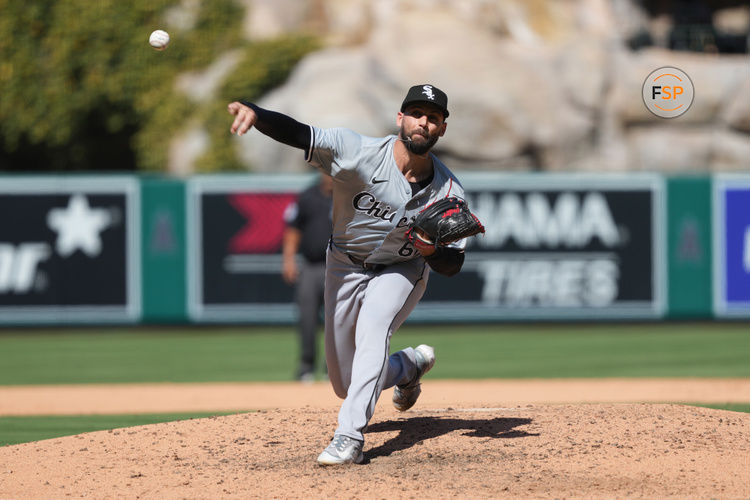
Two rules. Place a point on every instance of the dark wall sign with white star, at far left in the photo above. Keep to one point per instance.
(69, 249)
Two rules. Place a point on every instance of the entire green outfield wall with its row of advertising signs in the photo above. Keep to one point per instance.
(130, 249)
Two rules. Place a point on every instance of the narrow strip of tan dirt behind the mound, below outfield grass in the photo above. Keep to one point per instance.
(164, 398)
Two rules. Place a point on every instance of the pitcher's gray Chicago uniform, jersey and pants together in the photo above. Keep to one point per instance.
(372, 207)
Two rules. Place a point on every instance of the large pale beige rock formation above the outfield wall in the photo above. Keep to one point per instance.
(546, 85)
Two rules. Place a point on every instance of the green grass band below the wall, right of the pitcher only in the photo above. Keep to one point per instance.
(640, 350)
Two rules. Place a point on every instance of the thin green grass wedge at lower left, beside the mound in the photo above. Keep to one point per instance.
(14, 430)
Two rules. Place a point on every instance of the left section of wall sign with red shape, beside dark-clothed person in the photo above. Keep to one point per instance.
(235, 229)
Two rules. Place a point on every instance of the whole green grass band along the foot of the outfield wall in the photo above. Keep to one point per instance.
(69, 356)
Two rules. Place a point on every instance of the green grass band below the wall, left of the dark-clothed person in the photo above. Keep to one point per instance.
(146, 355)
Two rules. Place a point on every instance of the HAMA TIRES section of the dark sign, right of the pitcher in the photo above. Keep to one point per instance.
(557, 246)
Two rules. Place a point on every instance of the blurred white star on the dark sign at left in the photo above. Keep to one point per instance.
(78, 227)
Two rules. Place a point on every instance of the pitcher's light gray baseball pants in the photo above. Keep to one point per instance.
(363, 309)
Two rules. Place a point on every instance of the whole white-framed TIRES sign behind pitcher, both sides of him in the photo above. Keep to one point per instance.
(556, 246)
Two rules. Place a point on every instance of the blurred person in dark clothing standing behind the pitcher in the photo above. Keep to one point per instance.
(308, 228)
